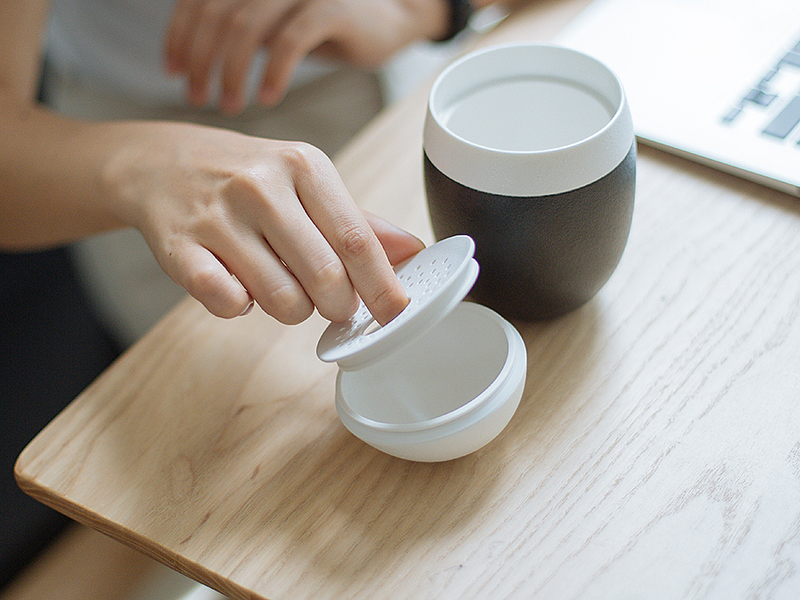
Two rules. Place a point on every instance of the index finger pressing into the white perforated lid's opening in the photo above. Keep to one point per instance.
(330, 206)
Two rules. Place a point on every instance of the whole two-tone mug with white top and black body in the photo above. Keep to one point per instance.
(530, 150)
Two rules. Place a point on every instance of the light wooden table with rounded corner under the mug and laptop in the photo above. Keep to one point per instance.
(655, 453)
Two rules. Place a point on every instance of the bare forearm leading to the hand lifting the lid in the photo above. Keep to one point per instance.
(52, 177)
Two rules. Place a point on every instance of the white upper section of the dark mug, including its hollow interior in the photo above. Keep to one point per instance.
(527, 120)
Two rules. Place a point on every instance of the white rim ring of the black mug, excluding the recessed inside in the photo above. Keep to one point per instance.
(536, 172)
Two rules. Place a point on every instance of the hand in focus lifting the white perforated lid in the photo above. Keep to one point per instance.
(234, 218)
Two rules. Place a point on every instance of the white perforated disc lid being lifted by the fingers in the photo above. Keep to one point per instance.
(436, 280)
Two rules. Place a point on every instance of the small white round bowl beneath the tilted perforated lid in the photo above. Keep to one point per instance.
(444, 395)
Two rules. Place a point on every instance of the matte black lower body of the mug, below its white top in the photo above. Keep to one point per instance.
(542, 256)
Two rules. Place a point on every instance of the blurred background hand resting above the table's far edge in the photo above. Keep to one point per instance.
(204, 34)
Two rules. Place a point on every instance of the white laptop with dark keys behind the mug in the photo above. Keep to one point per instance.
(717, 81)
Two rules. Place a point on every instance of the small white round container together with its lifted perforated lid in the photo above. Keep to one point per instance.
(442, 379)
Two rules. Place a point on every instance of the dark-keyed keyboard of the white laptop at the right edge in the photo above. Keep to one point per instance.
(774, 101)
